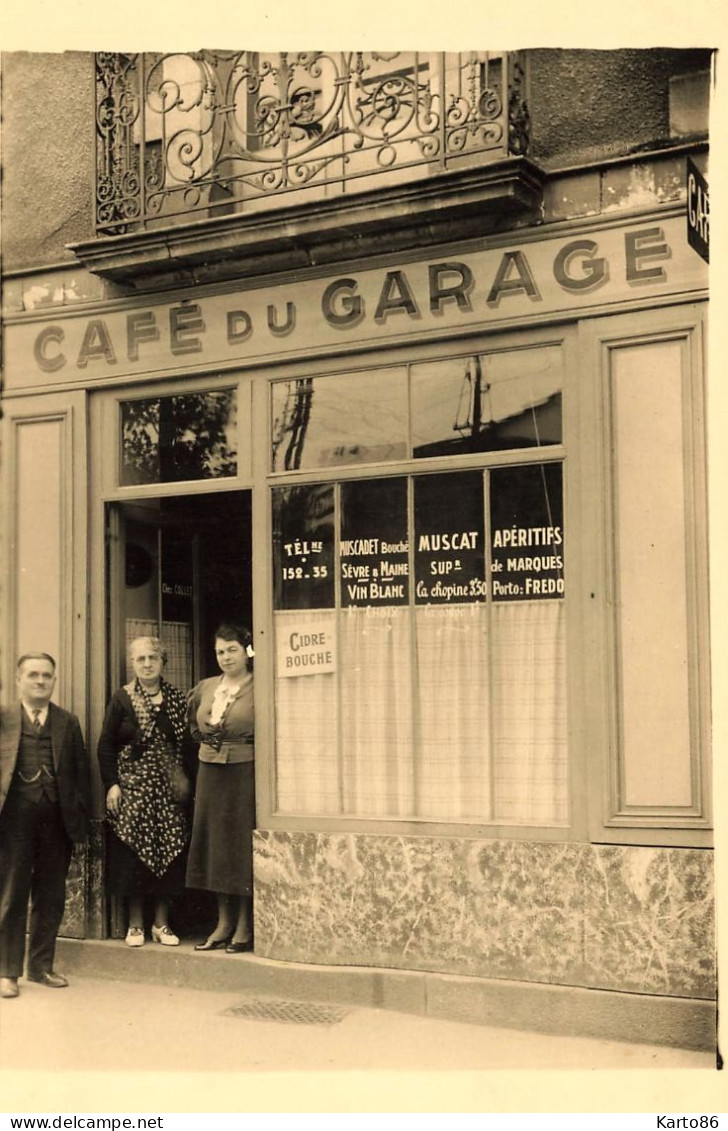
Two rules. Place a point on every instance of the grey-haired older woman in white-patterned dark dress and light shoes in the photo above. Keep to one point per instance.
(143, 750)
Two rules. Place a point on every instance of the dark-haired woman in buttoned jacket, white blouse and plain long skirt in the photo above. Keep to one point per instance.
(221, 719)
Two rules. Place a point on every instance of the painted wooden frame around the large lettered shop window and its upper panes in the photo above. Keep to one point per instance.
(562, 335)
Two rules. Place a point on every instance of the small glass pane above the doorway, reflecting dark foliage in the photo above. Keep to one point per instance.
(187, 437)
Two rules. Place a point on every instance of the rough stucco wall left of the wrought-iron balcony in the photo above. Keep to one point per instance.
(48, 156)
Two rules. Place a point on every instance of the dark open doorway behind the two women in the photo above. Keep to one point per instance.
(177, 567)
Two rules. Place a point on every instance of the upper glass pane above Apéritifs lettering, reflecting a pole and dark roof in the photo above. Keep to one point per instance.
(487, 402)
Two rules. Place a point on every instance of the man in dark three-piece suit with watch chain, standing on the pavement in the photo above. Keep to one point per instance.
(45, 792)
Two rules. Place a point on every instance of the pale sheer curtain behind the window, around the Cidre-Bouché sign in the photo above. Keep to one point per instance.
(464, 721)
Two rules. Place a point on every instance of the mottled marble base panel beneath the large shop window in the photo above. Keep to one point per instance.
(612, 918)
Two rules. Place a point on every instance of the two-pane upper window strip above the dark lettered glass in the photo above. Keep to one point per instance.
(478, 403)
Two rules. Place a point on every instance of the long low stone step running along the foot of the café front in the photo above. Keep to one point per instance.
(681, 1023)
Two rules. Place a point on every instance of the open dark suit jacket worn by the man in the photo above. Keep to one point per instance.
(70, 759)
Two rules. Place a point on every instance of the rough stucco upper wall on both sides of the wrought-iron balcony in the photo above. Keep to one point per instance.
(584, 106)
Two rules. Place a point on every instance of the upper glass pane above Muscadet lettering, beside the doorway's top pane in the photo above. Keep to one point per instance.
(332, 421)
